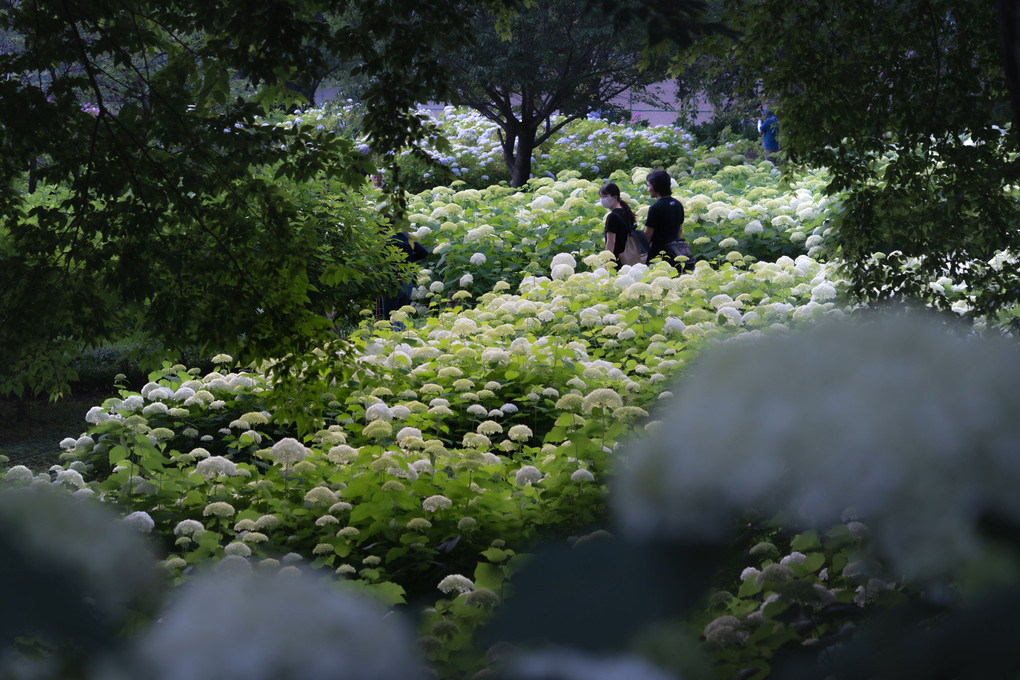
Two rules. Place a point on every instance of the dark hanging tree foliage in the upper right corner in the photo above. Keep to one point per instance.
(906, 103)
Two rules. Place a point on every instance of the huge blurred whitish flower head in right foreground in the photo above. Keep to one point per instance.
(860, 416)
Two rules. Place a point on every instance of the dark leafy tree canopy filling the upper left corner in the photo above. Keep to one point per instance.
(140, 194)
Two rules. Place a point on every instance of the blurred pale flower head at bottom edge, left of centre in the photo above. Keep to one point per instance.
(261, 627)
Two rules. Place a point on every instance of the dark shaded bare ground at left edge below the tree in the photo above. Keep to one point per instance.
(33, 438)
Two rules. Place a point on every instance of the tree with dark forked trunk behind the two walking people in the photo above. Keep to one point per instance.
(569, 58)
